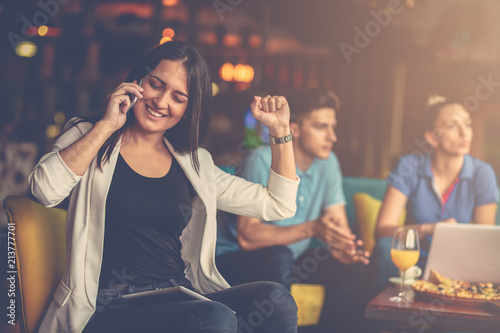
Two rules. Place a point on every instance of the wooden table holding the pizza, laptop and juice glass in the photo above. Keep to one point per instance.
(424, 314)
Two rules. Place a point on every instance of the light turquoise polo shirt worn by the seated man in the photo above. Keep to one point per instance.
(320, 187)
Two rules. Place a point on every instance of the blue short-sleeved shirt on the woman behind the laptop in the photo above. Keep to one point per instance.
(413, 177)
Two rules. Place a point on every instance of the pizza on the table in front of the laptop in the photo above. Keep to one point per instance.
(440, 285)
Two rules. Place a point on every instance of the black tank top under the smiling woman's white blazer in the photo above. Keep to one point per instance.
(144, 220)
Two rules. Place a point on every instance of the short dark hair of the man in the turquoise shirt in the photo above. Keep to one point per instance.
(310, 99)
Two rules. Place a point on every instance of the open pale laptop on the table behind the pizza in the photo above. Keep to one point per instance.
(467, 252)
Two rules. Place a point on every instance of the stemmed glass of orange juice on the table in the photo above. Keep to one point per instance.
(405, 251)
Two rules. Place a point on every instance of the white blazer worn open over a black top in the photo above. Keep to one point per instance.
(51, 181)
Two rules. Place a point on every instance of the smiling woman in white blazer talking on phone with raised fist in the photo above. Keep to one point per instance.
(142, 211)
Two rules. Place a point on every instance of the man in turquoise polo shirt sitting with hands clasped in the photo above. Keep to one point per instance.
(252, 250)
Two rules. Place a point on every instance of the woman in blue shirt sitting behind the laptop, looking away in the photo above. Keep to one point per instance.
(447, 185)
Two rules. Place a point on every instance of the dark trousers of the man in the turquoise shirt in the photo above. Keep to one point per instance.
(343, 310)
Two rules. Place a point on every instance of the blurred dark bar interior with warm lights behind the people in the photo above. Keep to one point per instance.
(384, 59)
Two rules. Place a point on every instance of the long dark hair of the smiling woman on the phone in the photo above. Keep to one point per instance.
(189, 132)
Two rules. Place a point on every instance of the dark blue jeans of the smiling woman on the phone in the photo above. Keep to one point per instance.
(258, 307)
